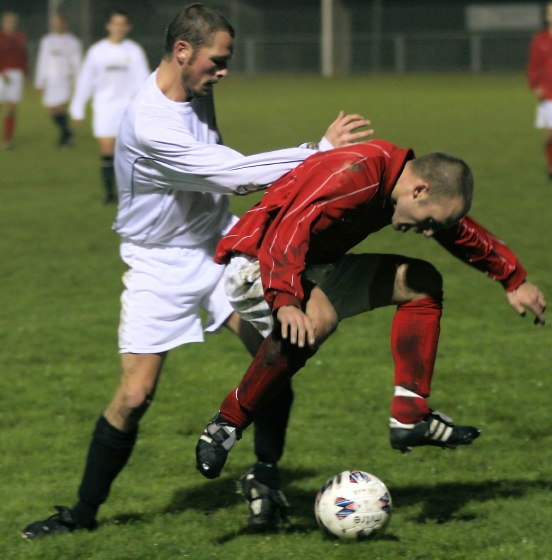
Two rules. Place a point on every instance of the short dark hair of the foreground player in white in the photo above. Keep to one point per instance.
(195, 24)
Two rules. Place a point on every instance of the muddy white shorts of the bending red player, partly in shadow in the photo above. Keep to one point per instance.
(346, 282)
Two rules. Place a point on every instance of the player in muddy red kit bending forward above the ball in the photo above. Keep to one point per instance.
(292, 249)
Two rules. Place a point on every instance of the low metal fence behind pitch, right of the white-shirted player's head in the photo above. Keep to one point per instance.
(399, 52)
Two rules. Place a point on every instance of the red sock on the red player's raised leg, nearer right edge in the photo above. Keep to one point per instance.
(414, 338)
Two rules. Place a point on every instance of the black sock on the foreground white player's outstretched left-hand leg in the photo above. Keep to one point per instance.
(108, 453)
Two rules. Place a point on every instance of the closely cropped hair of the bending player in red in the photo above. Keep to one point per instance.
(447, 175)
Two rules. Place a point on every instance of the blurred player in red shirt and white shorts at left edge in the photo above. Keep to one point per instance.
(14, 68)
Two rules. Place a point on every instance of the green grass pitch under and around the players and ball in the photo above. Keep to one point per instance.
(60, 292)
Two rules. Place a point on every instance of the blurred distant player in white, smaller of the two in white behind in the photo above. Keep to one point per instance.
(58, 63)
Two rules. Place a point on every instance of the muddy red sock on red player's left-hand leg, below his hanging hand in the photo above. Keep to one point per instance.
(275, 363)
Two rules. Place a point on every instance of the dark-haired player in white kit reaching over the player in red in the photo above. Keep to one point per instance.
(172, 177)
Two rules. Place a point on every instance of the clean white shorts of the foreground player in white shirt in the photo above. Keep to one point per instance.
(165, 290)
